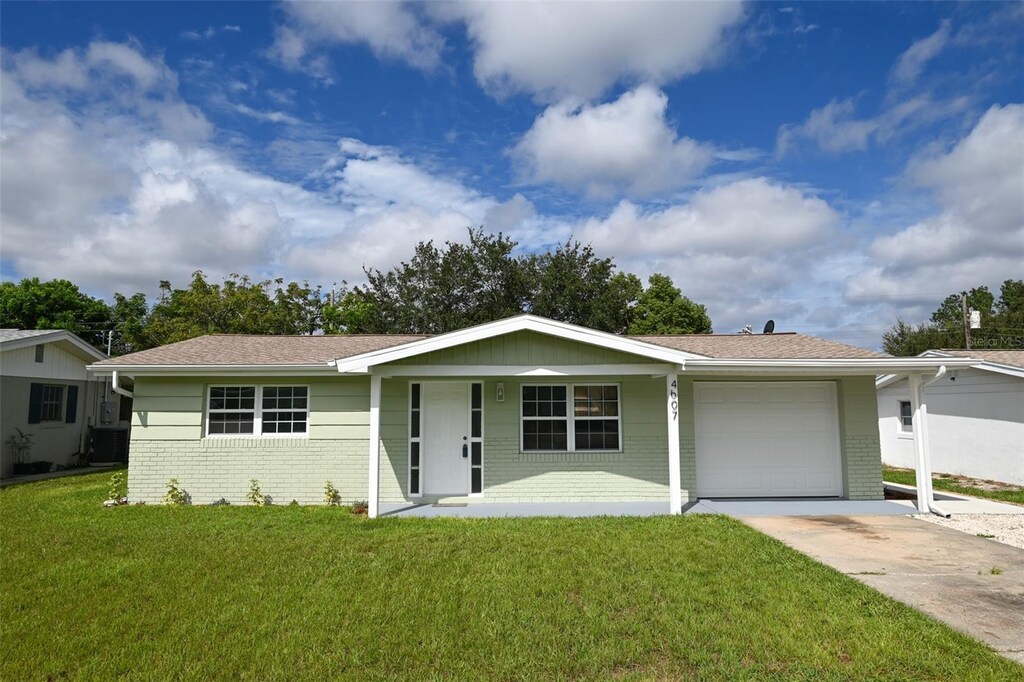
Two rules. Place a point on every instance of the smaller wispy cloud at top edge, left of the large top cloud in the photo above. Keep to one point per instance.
(392, 30)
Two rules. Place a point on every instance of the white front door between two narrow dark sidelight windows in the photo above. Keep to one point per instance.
(446, 438)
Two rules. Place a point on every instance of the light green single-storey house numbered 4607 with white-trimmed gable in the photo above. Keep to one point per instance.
(522, 410)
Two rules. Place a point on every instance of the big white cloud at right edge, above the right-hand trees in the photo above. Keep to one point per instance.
(977, 236)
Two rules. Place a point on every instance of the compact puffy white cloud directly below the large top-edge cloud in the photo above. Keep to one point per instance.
(625, 146)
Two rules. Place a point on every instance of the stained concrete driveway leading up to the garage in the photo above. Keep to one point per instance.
(944, 573)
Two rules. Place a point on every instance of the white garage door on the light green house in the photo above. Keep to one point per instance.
(767, 440)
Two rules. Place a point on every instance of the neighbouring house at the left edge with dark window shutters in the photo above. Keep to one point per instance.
(47, 392)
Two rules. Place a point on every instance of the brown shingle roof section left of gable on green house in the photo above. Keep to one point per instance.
(281, 351)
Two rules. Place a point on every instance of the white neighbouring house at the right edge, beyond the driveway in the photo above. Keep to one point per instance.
(975, 415)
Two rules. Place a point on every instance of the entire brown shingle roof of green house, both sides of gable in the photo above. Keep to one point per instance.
(306, 351)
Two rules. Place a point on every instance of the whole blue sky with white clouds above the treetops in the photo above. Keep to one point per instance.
(830, 165)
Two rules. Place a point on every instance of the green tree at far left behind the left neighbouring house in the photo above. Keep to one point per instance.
(55, 305)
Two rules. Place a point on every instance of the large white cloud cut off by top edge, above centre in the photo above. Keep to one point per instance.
(580, 50)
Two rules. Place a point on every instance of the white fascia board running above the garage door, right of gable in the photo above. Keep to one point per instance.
(829, 366)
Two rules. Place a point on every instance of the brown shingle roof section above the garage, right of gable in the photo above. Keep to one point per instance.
(760, 347)
